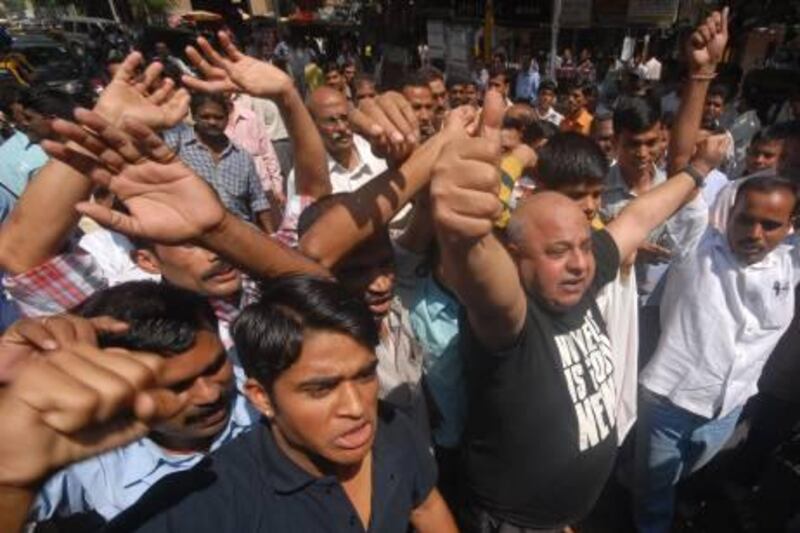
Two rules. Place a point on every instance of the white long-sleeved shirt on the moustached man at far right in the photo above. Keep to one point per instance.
(720, 319)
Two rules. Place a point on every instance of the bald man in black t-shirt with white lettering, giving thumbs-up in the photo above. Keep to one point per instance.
(540, 439)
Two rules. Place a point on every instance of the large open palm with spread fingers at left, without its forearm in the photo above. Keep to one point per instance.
(166, 201)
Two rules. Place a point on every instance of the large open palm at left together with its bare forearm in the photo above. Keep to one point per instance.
(168, 203)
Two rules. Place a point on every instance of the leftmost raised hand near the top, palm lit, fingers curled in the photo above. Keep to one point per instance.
(151, 100)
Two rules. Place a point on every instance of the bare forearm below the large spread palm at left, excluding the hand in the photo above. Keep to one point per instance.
(257, 253)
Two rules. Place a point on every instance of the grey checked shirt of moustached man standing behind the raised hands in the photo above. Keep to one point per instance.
(234, 176)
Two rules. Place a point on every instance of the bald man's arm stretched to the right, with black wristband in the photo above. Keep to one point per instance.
(645, 213)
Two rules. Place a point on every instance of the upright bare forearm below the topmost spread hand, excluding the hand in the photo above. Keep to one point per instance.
(310, 162)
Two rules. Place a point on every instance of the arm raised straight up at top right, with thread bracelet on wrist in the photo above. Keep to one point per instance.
(704, 51)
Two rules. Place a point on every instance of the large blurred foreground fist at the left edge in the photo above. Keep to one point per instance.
(79, 401)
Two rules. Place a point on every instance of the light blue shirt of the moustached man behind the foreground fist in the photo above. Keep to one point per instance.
(112, 482)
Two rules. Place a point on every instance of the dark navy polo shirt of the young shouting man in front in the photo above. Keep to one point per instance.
(249, 485)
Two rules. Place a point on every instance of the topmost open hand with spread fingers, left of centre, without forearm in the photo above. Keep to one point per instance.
(234, 71)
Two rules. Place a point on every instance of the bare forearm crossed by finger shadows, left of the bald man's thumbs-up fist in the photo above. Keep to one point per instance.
(358, 215)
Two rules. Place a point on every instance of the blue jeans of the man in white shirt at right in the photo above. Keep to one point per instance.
(670, 442)
